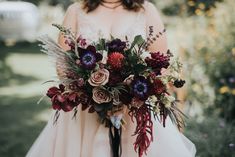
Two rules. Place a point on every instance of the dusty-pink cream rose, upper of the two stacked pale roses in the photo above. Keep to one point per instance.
(99, 78)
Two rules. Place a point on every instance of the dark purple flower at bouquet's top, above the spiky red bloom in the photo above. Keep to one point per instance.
(116, 45)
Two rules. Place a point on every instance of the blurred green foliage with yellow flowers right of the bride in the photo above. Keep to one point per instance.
(207, 42)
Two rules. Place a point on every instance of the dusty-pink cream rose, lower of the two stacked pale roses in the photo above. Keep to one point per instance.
(100, 95)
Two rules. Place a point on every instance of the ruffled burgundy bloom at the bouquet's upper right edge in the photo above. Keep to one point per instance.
(158, 61)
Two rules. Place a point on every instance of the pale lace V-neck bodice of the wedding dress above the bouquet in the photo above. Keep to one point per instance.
(89, 30)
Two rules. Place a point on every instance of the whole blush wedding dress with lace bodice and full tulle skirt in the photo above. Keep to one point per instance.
(86, 137)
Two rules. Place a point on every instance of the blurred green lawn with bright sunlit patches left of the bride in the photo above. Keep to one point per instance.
(23, 69)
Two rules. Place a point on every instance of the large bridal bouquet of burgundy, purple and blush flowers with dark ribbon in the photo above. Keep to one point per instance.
(108, 77)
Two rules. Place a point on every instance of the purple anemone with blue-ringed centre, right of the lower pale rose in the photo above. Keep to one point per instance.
(141, 87)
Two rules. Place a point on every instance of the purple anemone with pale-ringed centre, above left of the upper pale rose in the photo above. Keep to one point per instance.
(89, 57)
